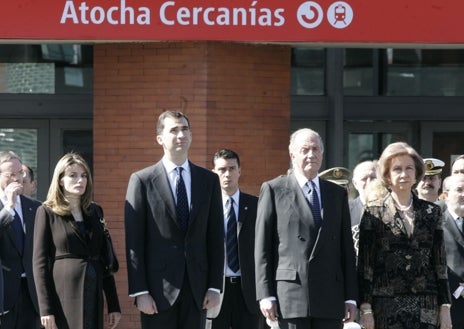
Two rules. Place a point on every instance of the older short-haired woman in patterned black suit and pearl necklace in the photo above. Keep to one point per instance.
(402, 262)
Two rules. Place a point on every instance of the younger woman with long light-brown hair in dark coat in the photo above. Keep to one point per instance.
(68, 244)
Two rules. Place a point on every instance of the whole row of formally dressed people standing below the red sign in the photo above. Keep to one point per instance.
(201, 253)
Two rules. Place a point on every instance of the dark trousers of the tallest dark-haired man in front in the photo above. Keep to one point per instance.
(184, 314)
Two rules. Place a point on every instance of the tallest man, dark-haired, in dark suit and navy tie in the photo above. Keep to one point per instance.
(174, 235)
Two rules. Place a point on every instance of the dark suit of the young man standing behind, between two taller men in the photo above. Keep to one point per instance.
(242, 312)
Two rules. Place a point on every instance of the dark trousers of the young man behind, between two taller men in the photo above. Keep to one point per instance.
(234, 313)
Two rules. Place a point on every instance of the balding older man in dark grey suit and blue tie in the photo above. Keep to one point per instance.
(305, 260)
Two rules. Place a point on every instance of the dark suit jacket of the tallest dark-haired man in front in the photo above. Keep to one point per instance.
(161, 258)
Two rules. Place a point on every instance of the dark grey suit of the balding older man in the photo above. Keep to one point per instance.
(311, 272)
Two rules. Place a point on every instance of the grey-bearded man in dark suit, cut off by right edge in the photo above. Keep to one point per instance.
(454, 244)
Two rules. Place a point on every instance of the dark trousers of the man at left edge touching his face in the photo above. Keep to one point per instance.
(23, 315)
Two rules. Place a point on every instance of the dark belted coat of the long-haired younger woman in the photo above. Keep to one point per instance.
(61, 256)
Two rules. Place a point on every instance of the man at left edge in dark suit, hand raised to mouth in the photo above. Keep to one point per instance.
(21, 309)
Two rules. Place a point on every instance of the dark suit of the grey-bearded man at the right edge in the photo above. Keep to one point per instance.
(454, 244)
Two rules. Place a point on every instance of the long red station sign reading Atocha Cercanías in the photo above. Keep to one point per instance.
(325, 21)
